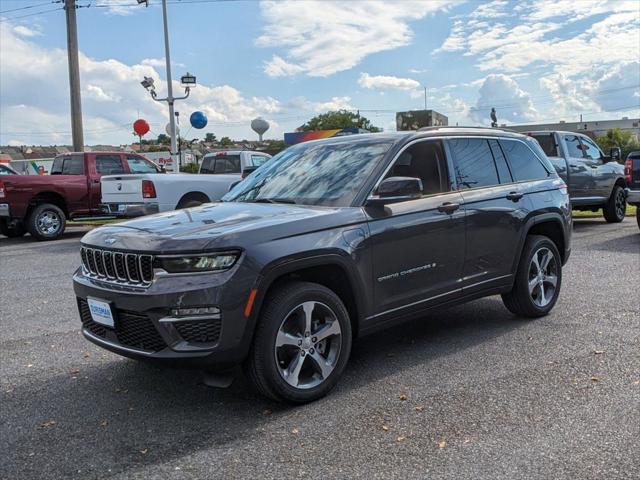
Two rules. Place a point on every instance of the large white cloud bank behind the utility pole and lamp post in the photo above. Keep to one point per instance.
(35, 97)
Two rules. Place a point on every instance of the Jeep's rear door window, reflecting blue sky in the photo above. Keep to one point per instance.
(474, 165)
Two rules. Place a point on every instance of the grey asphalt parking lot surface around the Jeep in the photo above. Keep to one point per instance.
(469, 392)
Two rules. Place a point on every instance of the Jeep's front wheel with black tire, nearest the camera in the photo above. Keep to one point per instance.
(301, 345)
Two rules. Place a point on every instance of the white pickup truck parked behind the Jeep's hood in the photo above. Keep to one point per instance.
(143, 194)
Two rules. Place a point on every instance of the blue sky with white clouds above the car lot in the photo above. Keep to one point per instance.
(289, 60)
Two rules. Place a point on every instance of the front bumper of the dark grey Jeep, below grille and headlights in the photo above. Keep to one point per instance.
(144, 327)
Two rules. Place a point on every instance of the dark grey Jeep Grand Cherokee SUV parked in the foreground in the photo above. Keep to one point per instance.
(329, 241)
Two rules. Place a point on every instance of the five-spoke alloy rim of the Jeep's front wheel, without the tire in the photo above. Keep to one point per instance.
(308, 344)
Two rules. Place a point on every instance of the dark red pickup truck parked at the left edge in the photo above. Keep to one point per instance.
(41, 204)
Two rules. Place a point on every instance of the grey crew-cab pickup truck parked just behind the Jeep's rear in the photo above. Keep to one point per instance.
(595, 180)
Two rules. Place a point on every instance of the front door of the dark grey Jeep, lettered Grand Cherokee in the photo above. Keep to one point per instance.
(418, 245)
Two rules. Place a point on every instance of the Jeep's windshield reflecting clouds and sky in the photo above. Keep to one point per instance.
(329, 174)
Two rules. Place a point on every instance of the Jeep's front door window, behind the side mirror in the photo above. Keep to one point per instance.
(424, 160)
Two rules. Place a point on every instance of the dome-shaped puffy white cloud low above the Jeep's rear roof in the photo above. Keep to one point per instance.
(512, 104)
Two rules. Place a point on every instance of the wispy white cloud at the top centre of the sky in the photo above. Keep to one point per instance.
(322, 38)
